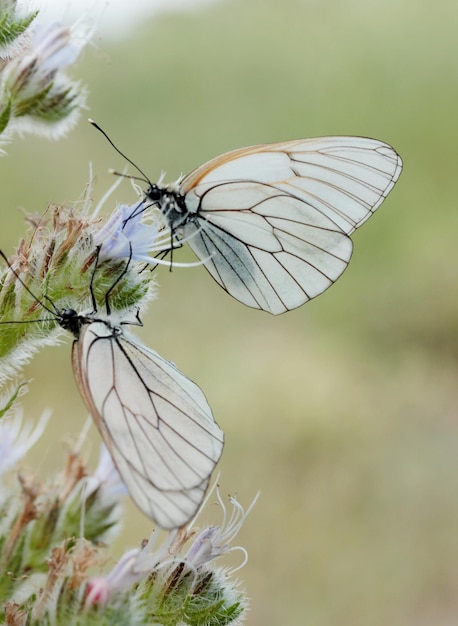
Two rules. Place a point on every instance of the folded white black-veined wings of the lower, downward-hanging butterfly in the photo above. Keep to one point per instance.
(155, 422)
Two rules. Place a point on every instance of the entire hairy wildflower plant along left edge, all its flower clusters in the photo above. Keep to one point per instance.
(55, 566)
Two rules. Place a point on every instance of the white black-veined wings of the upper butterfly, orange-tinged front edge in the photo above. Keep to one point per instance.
(272, 222)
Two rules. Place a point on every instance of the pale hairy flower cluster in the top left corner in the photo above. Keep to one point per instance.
(36, 95)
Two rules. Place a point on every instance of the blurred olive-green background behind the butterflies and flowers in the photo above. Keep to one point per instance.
(343, 412)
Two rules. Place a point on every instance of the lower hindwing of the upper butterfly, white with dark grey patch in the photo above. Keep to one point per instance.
(271, 263)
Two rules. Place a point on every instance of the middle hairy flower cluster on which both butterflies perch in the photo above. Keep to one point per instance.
(55, 270)
